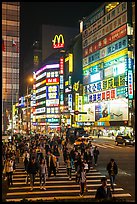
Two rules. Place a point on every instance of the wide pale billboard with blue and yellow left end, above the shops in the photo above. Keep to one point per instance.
(114, 110)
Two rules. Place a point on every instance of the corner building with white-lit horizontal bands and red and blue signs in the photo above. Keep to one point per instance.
(48, 93)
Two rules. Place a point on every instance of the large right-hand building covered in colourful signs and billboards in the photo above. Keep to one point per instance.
(108, 66)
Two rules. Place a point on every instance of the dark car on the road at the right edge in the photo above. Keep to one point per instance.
(124, 139)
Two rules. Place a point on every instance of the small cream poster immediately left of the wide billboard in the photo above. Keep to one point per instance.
(90, 109)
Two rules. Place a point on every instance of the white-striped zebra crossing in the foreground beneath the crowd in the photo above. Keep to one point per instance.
(58, 188)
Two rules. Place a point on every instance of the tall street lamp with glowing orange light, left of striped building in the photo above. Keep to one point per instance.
(28, 116)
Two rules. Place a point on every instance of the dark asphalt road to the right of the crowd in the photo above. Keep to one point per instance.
(125, 158)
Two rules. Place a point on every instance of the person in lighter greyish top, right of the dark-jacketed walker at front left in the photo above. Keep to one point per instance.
(42, 172)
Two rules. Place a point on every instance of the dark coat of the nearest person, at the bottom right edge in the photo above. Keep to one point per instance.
(102, 194)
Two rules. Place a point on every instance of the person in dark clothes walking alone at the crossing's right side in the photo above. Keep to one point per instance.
(112, 169)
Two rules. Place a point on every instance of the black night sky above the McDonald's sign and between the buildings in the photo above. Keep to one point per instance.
(34, 14)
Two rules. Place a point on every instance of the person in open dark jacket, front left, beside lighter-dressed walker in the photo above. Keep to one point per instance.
(32, 170)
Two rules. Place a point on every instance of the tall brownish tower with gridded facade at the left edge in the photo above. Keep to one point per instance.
(10, 60)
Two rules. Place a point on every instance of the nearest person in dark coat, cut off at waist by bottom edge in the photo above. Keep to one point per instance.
(103, 191)
